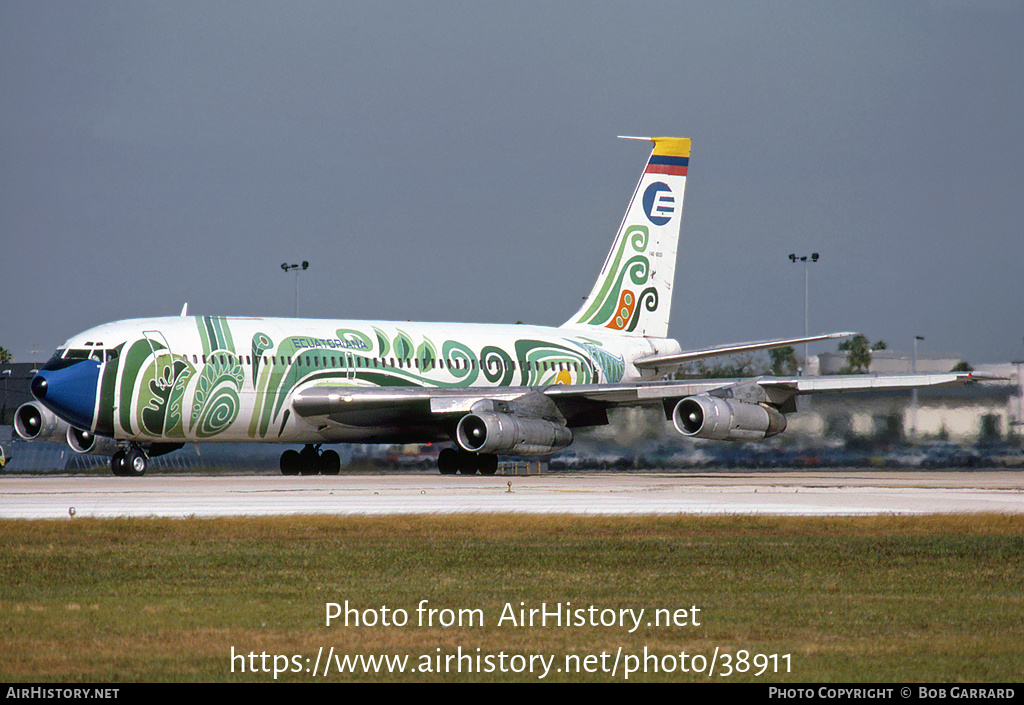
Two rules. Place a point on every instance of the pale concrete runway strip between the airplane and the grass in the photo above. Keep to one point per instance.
(656, 493)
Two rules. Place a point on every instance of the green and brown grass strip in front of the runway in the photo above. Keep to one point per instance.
(932, 599)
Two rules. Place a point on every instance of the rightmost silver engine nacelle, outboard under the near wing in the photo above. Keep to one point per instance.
(710, 418)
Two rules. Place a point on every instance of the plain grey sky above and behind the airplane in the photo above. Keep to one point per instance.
(455, 161)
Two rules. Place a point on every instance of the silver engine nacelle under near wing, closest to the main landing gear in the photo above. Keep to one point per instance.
(487, 432)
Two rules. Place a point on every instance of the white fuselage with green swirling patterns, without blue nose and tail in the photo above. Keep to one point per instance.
(214, 379)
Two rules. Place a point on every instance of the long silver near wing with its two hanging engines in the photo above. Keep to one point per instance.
(536, 421)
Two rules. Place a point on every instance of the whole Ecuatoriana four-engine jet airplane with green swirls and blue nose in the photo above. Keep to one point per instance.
(135, 390)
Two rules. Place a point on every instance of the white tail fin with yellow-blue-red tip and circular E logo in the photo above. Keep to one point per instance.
(633, 294)
